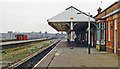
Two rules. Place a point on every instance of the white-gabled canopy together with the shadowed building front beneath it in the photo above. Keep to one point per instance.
(75, 23)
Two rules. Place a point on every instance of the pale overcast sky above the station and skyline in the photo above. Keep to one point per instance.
(32, 15)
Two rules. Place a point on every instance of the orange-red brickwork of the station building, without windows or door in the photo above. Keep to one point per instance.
(110, 45)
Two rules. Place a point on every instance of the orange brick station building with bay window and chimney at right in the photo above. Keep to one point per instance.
(108, 28)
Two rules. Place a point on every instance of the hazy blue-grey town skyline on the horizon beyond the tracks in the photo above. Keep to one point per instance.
(31, 35)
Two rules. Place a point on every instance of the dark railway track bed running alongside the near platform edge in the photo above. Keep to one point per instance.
(29, 64)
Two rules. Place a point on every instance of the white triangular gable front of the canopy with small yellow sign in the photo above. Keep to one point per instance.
(69, 13)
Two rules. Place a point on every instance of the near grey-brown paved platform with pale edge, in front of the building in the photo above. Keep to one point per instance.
(63, 56)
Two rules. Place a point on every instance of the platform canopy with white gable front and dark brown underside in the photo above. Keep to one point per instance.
(61, 21)
